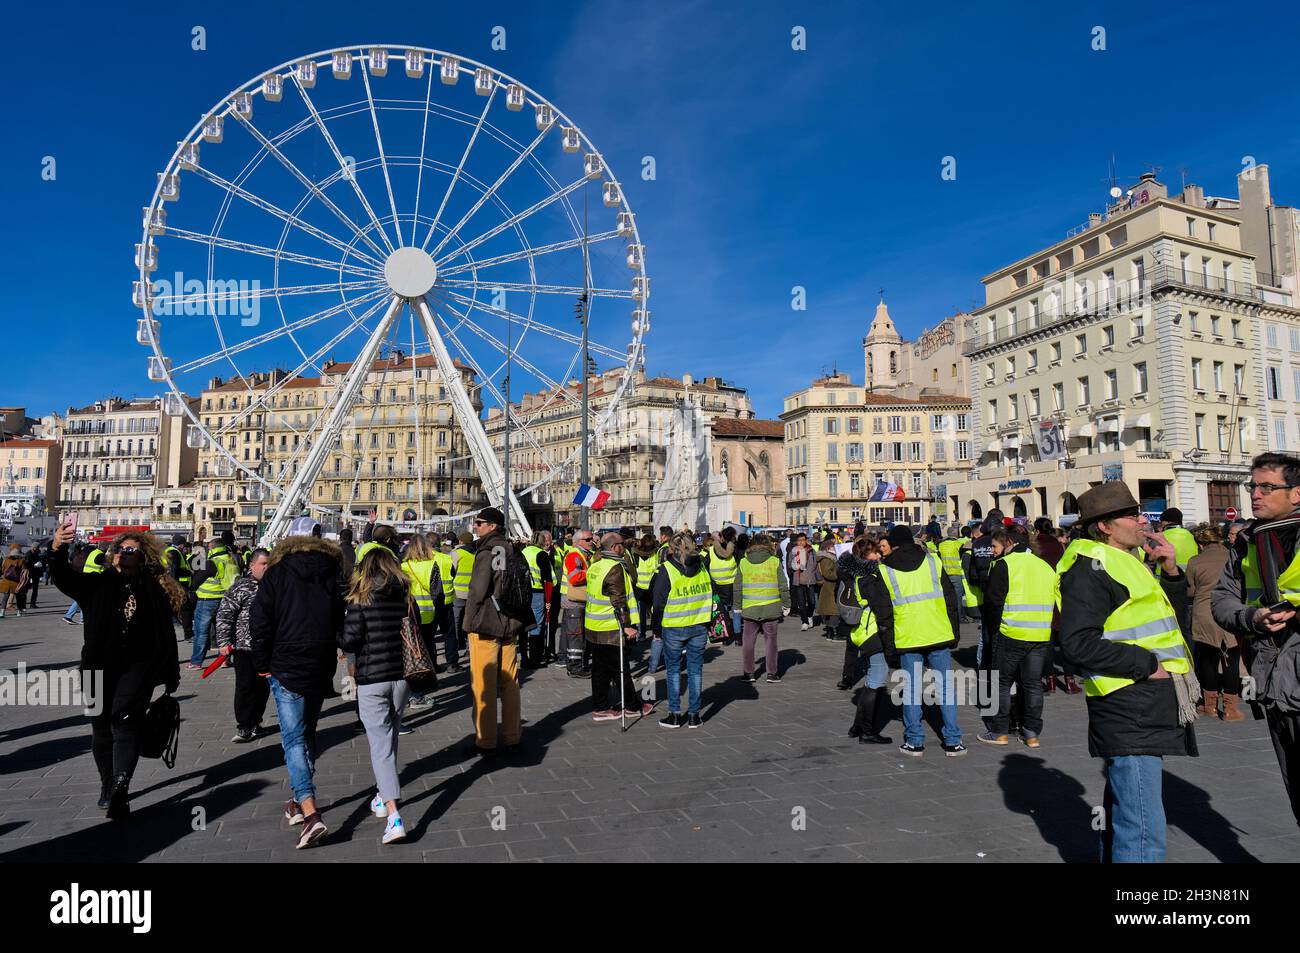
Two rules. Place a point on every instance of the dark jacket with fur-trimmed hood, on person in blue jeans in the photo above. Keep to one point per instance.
(298, 614)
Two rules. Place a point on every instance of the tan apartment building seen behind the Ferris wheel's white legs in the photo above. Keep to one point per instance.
(401, 453)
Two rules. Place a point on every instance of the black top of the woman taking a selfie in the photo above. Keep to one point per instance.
(136, 657)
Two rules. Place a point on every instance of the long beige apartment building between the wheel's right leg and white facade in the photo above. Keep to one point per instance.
(626, 461)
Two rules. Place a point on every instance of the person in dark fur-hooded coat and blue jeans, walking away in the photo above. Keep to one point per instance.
(294, 625)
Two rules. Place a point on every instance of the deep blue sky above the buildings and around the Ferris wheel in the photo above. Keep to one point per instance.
(774, 168)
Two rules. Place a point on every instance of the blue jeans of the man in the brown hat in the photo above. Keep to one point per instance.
(1136, 811)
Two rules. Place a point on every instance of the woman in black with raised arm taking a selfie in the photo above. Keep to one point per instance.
(129, 642)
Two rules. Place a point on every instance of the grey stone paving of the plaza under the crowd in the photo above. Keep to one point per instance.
(770, 777)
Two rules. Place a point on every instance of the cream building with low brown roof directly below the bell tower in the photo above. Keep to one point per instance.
(843, 441)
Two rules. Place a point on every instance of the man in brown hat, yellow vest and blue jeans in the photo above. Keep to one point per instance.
(1121, 629)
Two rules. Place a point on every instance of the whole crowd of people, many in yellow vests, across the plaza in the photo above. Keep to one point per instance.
(1156, 625)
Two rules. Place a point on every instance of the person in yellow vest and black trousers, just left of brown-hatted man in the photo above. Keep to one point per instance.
(1020, 600)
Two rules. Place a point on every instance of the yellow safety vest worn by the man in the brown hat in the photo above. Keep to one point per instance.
(1147, 620)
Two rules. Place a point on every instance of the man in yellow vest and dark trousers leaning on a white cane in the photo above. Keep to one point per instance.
(609, 622)
